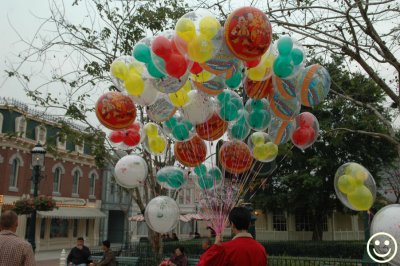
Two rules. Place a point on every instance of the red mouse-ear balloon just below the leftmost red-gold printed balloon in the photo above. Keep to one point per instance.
(132, 136)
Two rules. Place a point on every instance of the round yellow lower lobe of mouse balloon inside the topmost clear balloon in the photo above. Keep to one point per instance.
(200, 49)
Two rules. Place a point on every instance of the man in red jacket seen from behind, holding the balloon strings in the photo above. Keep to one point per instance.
(241, 250)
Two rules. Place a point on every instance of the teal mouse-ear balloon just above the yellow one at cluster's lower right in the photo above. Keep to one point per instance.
(259, 114)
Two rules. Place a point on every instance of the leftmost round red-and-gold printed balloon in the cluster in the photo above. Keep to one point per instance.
(115, 110)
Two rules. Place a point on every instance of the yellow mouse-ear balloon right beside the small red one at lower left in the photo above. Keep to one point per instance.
(155, 142)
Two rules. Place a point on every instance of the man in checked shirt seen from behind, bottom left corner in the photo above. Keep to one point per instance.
(13, 250)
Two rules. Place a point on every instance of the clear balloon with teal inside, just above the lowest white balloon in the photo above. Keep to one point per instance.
(171, 177)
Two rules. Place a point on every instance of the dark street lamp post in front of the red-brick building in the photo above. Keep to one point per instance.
(38, 154)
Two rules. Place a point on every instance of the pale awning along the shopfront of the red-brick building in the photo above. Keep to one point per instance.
(73, 213)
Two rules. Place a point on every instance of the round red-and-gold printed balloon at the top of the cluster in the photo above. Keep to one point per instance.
(248, 33)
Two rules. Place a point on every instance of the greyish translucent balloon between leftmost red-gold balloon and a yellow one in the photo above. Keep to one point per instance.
(162, 109)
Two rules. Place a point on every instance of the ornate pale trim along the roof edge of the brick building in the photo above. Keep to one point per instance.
(39, 114)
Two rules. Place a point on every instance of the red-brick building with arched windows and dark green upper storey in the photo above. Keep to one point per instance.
(71, 177)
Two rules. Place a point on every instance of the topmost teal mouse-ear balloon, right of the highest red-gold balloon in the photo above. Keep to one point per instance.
(289, 59)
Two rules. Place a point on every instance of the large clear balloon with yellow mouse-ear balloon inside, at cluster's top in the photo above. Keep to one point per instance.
(199, 35)
